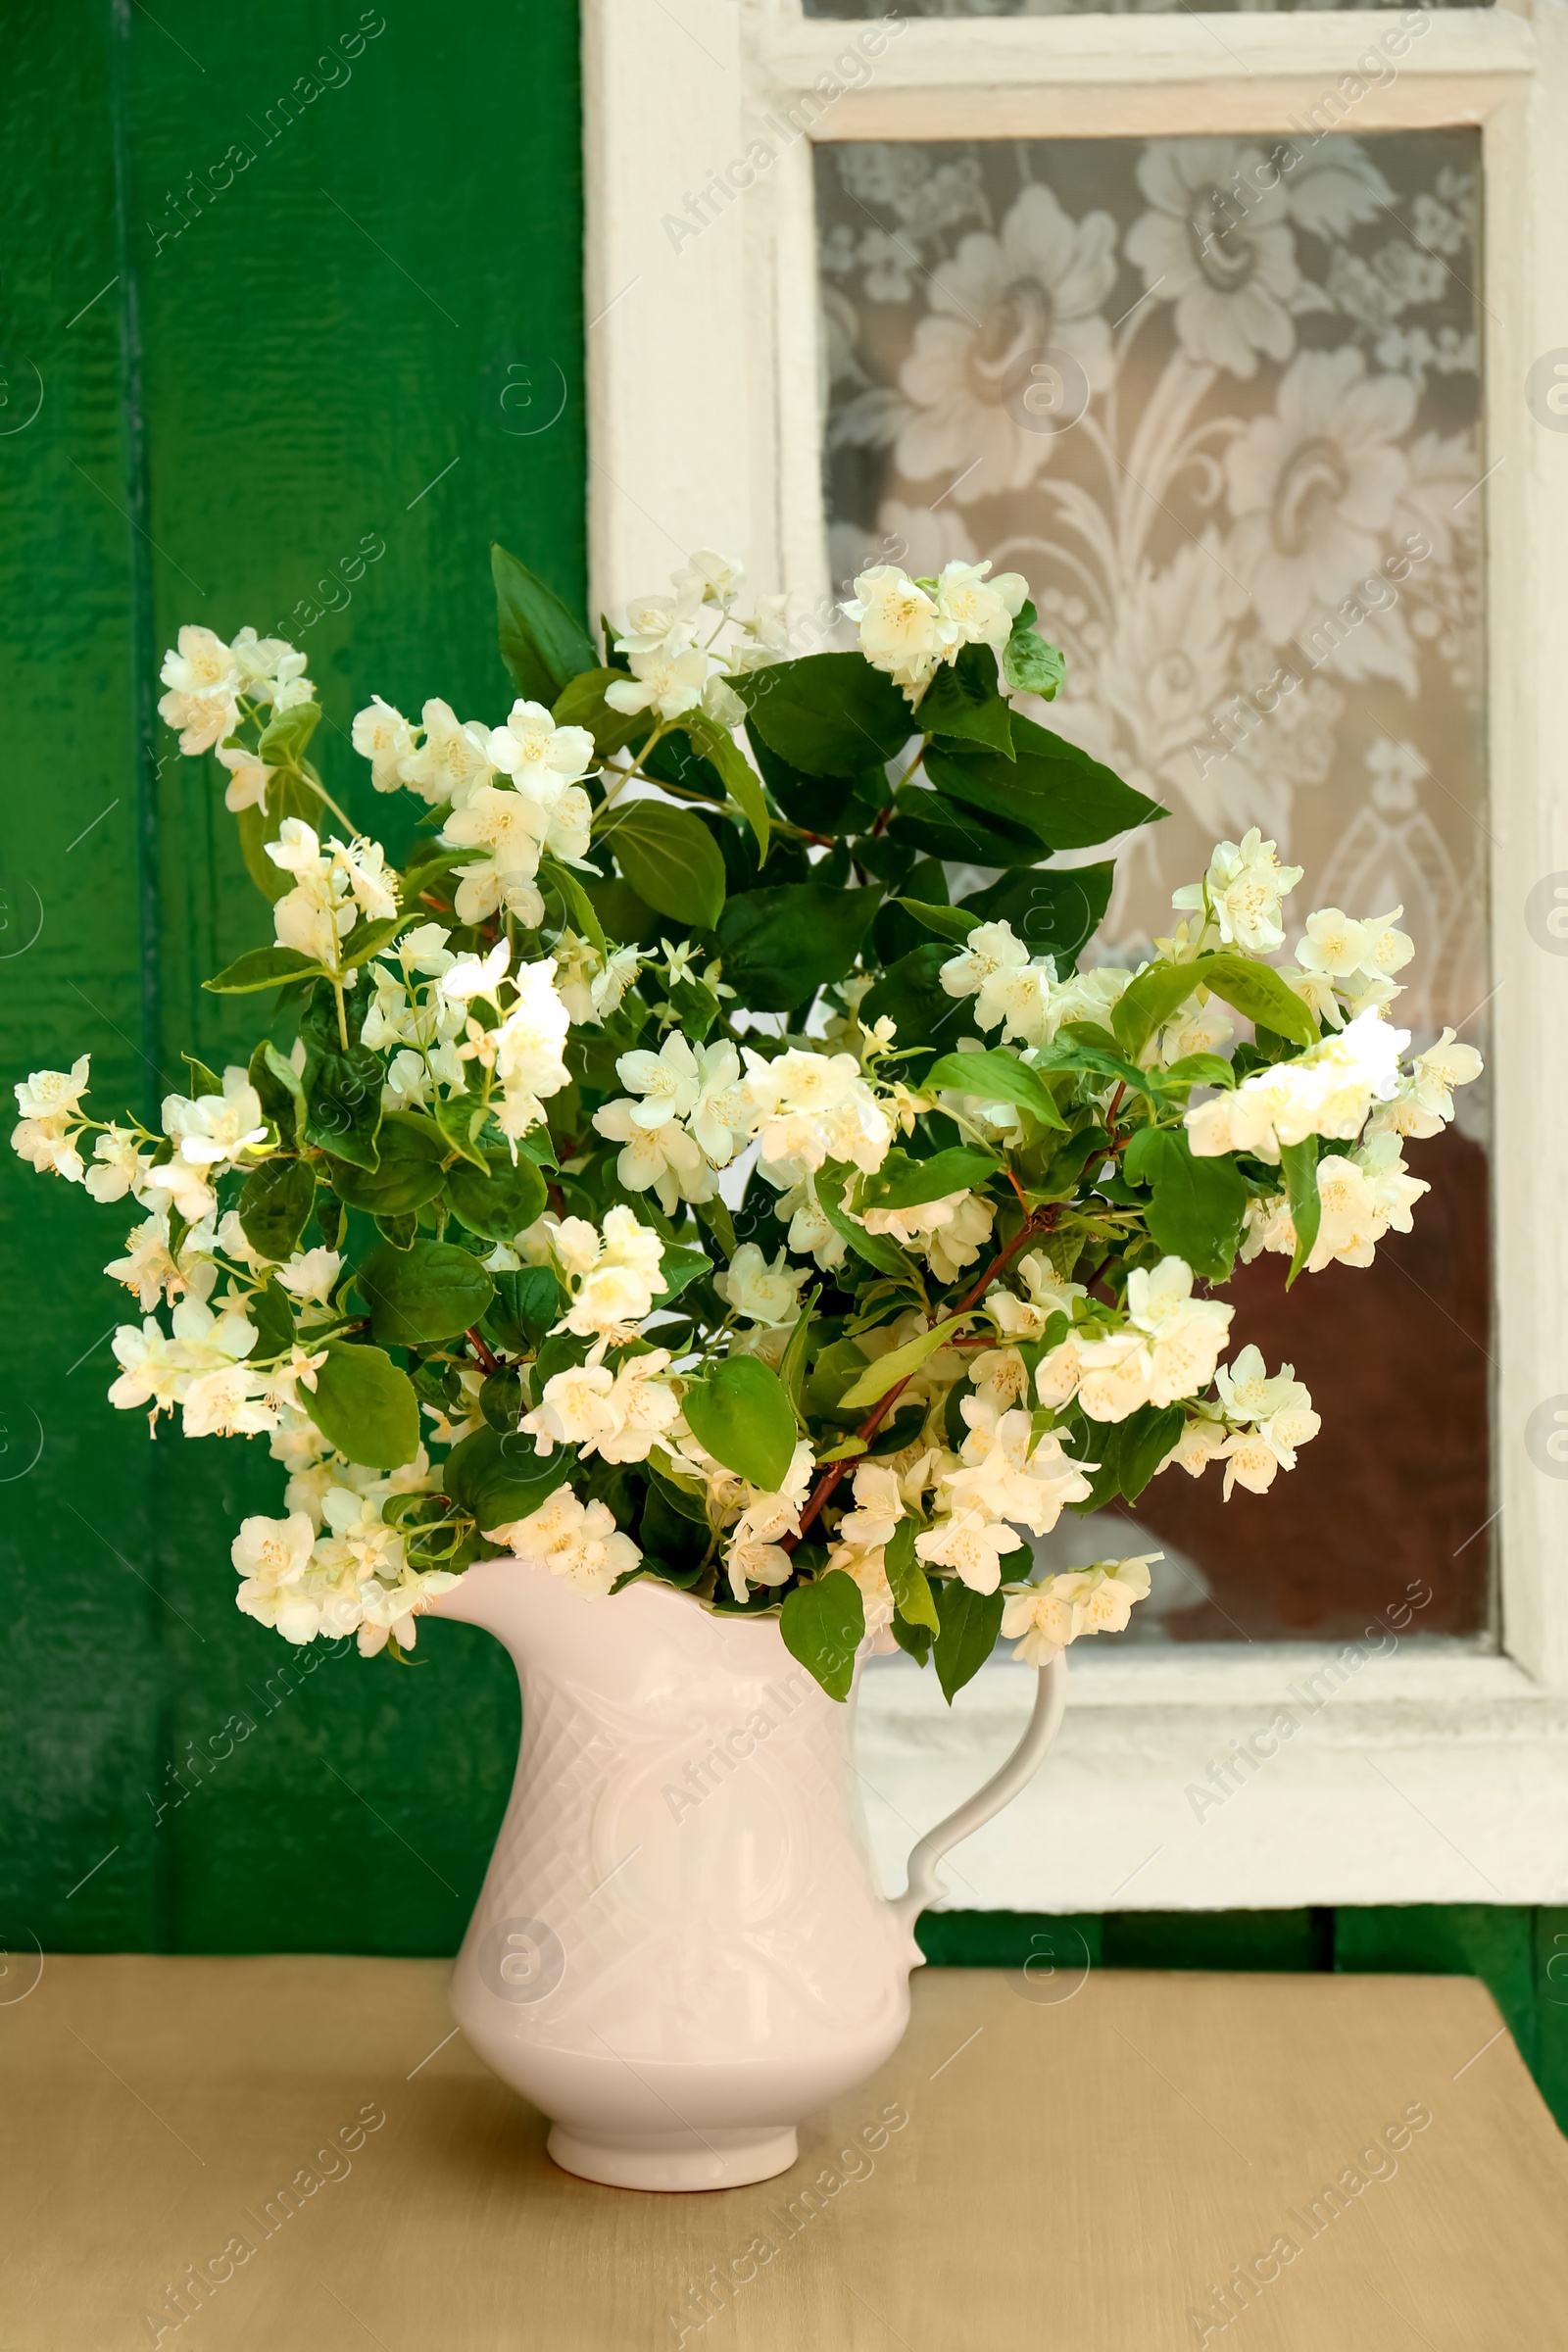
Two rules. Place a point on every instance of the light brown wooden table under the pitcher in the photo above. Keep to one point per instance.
(1068, 2167)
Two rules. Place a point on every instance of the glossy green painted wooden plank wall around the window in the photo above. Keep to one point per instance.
(276, 295)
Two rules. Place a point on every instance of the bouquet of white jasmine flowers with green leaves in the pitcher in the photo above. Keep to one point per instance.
(657, 1175)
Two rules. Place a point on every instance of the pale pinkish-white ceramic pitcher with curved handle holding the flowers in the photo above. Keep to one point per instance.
(681, 1946)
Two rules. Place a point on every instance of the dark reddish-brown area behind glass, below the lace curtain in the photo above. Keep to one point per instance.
(1395, 1488)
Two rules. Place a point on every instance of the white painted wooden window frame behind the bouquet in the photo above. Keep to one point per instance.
(1438, 1772)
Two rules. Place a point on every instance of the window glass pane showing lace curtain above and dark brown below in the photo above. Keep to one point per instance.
(1219, 403)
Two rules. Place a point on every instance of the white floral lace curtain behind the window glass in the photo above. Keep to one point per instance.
(1219, 401)
